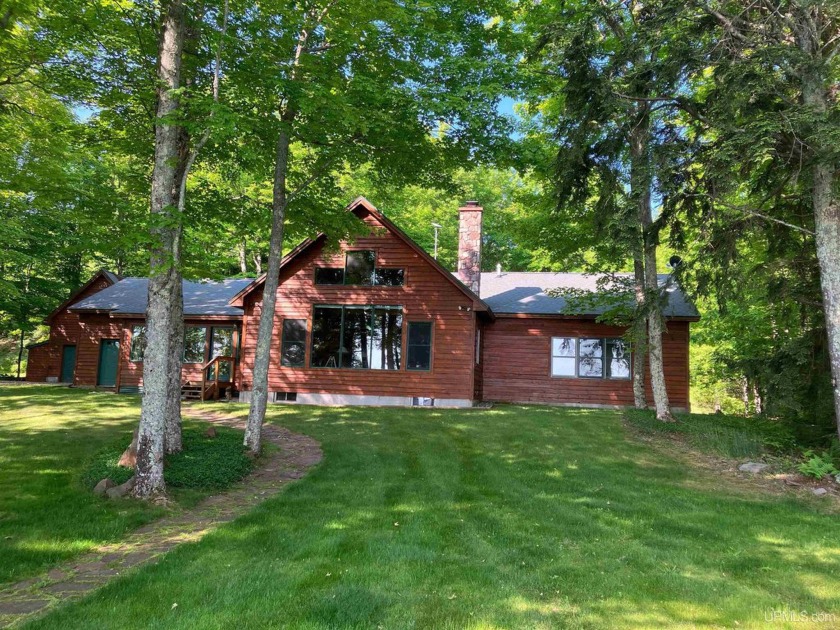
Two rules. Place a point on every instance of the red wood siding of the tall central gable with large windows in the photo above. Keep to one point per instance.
(425, 296)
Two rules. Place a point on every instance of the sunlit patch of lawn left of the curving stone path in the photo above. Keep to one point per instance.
(49, 437)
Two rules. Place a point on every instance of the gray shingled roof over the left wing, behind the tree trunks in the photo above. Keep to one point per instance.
(128, 296)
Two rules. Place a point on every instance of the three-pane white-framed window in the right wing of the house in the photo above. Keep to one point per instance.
(590, 357)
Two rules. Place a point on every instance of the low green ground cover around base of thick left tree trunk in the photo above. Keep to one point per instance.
(204, 463)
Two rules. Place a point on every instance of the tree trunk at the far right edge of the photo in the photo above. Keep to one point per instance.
(815, 85)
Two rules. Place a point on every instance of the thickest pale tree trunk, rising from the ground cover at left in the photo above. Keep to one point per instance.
(165, 276)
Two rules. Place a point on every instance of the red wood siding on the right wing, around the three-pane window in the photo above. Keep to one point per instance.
(517, 364)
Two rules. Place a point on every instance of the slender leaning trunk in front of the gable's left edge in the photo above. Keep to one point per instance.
(259, 390)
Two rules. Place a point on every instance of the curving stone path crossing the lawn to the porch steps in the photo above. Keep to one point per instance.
(296, 454)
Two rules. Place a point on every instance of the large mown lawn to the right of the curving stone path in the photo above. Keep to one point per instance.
(522, 517)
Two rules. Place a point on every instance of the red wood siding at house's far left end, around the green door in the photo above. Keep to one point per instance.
(65, 329)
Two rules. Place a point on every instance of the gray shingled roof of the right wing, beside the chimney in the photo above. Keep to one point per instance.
(525, 292)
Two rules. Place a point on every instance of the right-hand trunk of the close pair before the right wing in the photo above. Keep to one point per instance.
(640, 184)
